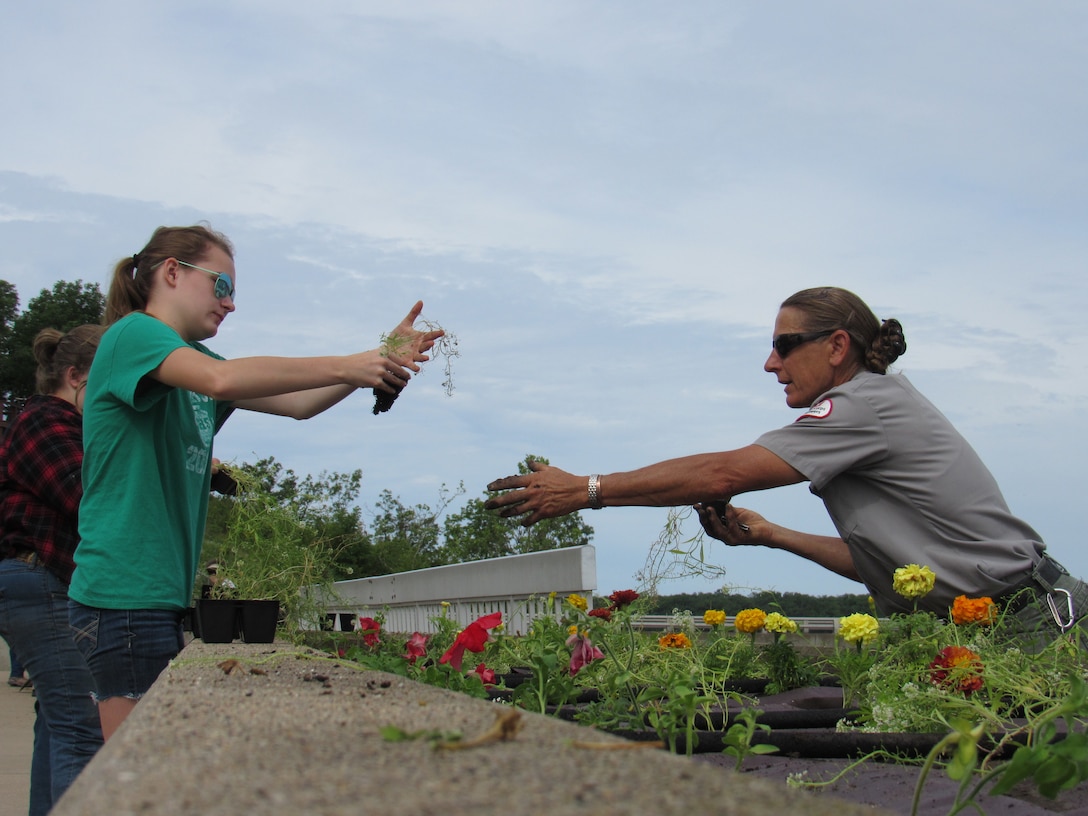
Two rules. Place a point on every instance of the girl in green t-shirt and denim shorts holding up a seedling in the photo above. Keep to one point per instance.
(156, 397)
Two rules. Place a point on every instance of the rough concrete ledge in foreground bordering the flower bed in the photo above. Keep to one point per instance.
(291, 732)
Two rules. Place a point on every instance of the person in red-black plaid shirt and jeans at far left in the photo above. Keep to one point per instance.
(41, 488)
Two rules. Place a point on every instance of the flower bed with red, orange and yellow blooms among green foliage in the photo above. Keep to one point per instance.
(959, 693)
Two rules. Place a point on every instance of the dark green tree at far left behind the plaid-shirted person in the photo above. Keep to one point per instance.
(68, 305)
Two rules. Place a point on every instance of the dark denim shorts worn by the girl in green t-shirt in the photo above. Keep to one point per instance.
(127, 650)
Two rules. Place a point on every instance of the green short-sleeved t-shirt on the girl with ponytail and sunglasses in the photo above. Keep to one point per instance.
(146, 474)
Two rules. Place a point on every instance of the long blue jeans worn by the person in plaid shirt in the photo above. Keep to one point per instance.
(67, 733)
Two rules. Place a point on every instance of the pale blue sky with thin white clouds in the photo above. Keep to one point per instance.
(605, 203)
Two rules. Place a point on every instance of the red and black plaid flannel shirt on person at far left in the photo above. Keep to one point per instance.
(41, 484)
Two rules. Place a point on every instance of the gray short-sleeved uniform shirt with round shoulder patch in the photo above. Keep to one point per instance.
(904, 487)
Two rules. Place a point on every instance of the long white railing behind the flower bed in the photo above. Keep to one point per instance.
(522, 587)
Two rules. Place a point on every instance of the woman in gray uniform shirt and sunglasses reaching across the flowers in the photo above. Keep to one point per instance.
(900, 484)
